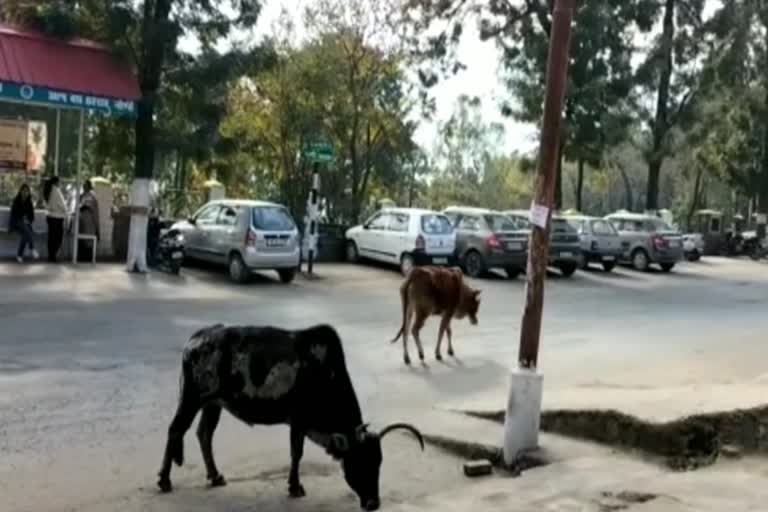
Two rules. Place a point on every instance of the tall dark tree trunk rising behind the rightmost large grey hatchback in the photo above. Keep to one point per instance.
(661, 122)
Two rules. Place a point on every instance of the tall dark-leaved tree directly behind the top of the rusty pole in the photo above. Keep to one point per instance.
(600, 76)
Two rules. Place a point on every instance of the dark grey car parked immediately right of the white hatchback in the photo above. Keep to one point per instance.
(487, 239)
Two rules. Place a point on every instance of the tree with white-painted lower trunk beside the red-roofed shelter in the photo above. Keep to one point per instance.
(148, 33)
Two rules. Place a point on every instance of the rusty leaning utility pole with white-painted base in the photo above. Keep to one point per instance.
(521, 425)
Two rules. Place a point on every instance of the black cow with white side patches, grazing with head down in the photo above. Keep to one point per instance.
(270, 376)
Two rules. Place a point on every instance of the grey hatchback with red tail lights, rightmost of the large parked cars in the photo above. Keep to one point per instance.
(647, 240)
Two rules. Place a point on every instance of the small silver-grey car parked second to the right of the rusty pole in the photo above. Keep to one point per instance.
(600, 242)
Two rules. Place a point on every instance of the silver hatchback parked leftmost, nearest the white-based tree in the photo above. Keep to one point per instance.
(245, 235)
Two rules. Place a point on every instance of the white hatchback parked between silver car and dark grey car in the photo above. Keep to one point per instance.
(404, 237)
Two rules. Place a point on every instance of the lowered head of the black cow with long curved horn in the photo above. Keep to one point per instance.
(361, 461)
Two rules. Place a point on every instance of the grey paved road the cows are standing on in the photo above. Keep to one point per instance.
(89, 369)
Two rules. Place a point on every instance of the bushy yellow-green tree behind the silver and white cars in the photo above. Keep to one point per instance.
(337, 86)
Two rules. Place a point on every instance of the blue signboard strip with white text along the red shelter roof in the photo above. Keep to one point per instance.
(63, 99)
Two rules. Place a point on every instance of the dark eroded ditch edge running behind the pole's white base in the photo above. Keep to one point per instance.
(684, 444)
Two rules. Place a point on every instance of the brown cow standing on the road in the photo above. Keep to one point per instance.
(438, 291)
